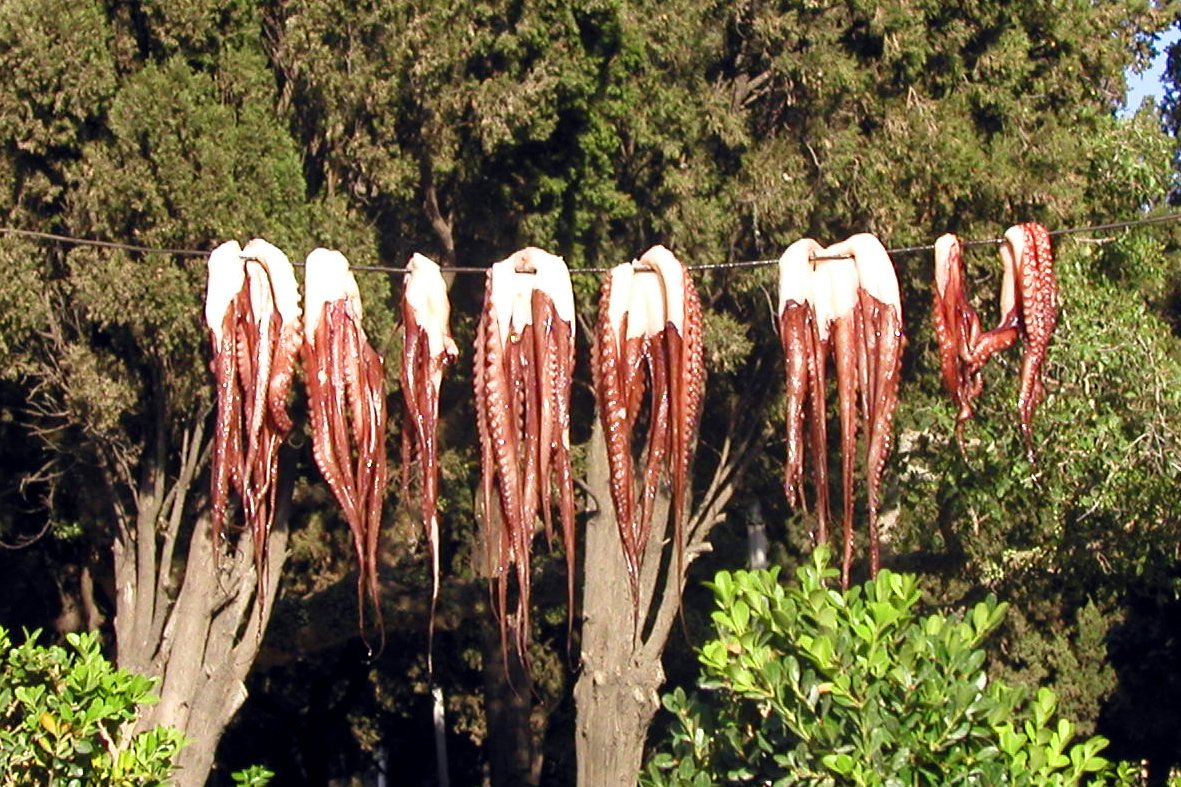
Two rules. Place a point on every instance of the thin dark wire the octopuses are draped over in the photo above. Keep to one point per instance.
(707, 266)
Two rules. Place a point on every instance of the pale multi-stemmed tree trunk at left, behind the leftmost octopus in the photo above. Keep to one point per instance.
(199, 640)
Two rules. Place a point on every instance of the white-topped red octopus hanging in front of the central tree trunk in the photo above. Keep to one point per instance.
(650, 320)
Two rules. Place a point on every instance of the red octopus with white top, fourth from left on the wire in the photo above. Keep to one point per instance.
(525, 362)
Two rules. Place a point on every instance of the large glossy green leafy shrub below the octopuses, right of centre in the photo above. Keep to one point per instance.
(808, 686)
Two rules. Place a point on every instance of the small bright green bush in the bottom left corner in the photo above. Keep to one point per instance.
(67, 718)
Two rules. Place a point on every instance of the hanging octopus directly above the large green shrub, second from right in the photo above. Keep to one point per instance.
(843, 301)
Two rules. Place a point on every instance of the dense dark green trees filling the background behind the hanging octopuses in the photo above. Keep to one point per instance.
(721, 131)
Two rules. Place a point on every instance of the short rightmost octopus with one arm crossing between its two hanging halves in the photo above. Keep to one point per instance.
(1029, 310)
